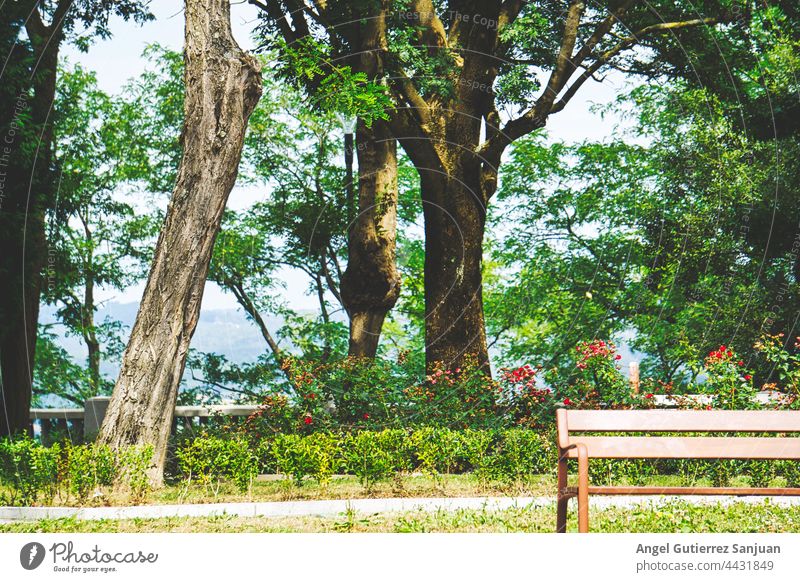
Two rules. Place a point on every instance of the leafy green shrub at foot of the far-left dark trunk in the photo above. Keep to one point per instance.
(28, 471)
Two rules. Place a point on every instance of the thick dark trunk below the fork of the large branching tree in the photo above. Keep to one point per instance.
(455, 217)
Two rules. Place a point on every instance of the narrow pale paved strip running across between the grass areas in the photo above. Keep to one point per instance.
(336, 507)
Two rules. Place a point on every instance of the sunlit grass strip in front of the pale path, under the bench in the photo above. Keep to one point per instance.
(666, 518)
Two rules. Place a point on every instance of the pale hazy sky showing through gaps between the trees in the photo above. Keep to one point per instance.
(119, 59)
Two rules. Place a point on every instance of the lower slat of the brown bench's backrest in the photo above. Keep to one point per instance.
(688, 447)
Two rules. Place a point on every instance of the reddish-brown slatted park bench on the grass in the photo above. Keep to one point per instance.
(574, 444)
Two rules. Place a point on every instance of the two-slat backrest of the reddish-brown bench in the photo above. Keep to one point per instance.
(572, 423)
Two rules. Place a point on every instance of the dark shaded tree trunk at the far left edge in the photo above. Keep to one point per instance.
(29, 192)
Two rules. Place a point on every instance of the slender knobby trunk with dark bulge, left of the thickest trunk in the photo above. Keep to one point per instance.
(370, 285)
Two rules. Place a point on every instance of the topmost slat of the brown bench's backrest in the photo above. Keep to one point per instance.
(682, 420)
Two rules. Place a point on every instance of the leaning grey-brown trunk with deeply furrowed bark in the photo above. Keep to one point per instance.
(223, 86)
